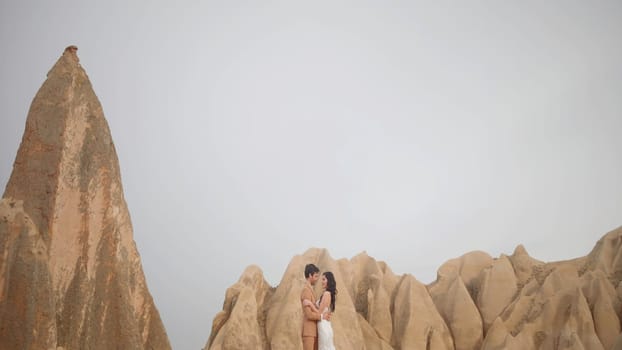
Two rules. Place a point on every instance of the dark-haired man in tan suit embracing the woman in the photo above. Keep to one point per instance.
(310, 317)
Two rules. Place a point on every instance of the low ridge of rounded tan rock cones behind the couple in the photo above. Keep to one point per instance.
(476, 302)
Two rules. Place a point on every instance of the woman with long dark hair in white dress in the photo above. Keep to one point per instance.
(325, 304)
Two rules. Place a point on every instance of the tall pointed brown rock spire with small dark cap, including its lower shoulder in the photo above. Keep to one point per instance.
(70, 274)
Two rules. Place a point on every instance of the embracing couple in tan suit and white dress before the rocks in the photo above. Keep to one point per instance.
(317, 332)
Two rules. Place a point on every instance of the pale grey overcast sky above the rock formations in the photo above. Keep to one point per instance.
(249, 132)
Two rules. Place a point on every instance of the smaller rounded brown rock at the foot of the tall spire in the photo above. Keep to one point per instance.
(24, 255)
